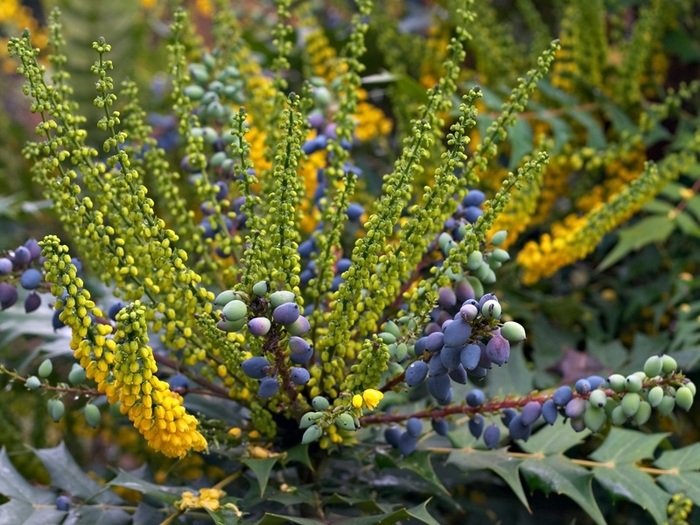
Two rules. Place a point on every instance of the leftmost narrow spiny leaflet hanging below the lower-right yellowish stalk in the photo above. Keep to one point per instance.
(497, 461)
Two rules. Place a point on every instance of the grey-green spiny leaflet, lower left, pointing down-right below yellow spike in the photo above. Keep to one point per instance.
(67, 476)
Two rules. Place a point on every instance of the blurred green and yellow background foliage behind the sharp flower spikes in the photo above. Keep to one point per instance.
(638, 293)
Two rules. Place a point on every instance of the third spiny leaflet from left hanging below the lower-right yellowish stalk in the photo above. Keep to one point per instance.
(628, 483)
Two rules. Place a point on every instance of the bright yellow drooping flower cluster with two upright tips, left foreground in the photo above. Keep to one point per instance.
(123, 370)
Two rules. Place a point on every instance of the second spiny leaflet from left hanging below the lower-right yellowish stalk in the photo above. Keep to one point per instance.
(558, 474)
